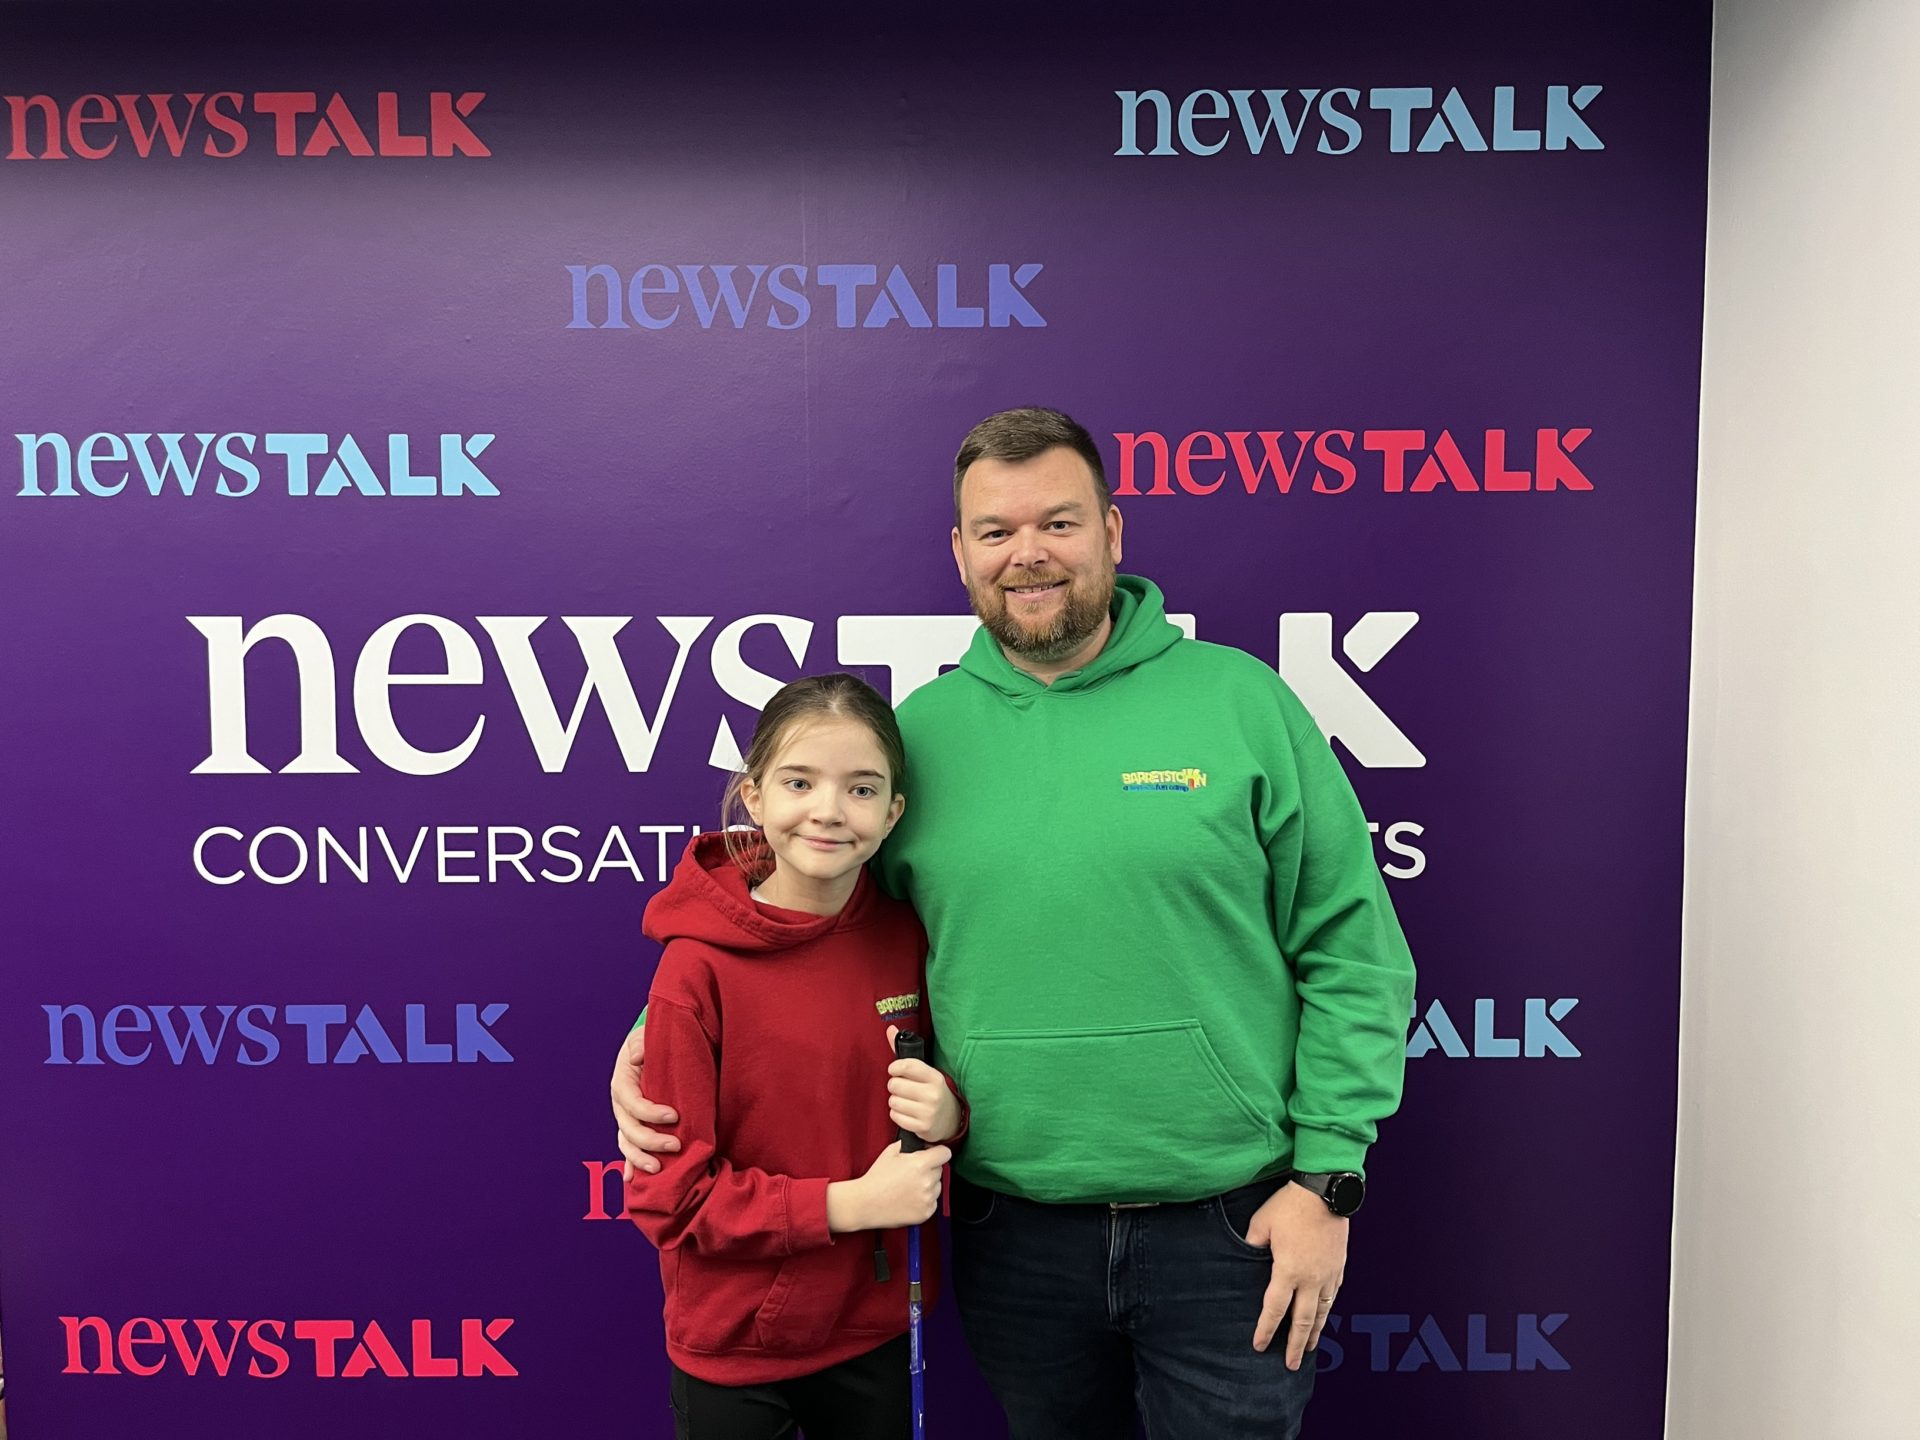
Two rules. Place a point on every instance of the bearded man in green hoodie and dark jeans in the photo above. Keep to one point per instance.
(1164, 972)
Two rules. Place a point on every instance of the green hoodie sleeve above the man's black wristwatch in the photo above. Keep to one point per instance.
(1353, 969)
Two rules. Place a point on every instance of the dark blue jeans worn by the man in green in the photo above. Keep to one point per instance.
(1080, 1314)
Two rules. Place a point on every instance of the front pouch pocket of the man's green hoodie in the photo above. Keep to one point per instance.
(1115, 1113)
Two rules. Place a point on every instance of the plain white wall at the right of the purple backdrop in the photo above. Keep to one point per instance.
(1798, 1209)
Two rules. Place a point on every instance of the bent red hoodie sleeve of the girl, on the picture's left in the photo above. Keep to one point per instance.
(702, 1199)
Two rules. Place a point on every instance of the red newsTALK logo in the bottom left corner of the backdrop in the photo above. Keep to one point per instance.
(272, 1349)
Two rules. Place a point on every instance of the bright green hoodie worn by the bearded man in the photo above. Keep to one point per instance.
(1163, 959)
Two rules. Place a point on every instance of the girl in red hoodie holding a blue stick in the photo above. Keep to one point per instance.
(771, 1030)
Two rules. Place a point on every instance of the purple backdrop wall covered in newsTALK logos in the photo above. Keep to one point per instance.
(1514, 260)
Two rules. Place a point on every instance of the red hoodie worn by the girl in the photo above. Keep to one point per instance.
(767, 1030)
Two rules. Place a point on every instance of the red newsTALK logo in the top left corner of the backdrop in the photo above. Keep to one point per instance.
(226, 124)
